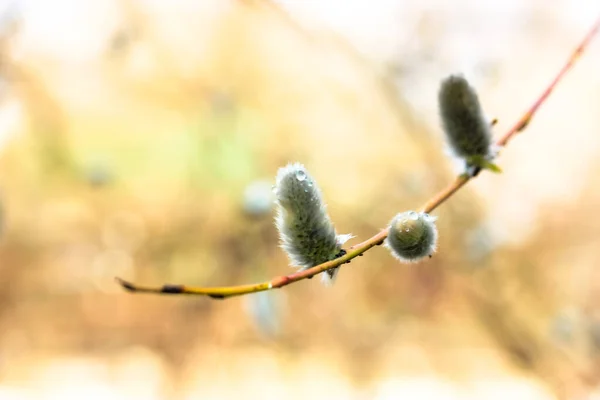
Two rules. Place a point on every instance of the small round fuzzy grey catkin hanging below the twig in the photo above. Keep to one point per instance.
(412, 237)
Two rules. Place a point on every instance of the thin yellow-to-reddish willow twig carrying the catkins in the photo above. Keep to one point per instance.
(359, 249)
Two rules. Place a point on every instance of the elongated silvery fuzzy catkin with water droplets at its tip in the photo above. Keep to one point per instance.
(305, 229)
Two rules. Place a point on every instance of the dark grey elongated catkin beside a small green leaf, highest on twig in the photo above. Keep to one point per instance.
(468, 131)
